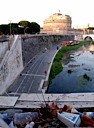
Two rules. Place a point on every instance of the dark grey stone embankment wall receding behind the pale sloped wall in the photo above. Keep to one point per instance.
(32, 45)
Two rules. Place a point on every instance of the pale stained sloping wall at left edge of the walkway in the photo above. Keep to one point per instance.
(11, 65)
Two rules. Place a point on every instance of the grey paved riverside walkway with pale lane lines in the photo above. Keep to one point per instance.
(29, 81)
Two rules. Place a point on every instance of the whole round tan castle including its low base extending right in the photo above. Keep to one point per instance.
(60, 24)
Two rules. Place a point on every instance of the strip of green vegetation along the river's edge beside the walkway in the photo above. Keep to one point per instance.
(57, 66)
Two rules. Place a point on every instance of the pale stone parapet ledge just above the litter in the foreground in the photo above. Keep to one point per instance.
(33, 100)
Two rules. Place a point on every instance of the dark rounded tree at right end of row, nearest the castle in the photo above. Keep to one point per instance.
(34, 28)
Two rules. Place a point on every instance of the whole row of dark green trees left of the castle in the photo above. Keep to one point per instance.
(21, 27)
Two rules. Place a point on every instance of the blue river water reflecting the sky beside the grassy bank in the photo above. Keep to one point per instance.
(80, 63)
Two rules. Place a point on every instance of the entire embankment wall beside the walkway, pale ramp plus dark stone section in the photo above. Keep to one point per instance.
(20, 53)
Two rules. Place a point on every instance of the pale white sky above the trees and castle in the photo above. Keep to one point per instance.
(81, 11)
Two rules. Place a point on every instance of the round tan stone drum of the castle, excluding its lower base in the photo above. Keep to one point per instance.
(57, 22)
